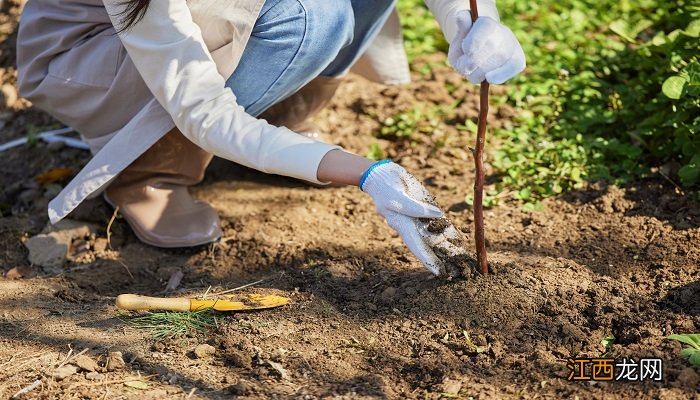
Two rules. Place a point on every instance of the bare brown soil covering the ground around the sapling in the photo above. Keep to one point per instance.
(366, 320)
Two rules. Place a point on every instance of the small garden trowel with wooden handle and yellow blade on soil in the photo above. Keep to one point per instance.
(246, 302)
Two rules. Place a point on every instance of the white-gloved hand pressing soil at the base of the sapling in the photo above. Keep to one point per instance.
(402, 200)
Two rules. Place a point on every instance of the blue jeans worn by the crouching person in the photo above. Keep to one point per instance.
(294, 41)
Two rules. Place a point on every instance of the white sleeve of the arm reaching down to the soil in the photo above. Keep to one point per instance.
(168, 50)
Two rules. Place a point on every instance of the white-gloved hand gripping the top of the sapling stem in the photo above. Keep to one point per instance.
(486, 50)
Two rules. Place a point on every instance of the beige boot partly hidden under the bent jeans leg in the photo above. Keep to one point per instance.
(296, 111)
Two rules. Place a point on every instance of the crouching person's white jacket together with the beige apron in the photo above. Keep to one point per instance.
(172, 74)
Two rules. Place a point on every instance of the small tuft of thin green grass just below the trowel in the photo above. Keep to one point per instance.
(164, 325)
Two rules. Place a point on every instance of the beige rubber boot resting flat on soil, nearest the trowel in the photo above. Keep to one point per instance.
(152, 195)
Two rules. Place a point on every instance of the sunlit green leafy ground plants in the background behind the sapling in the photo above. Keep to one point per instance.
(612, 91)
